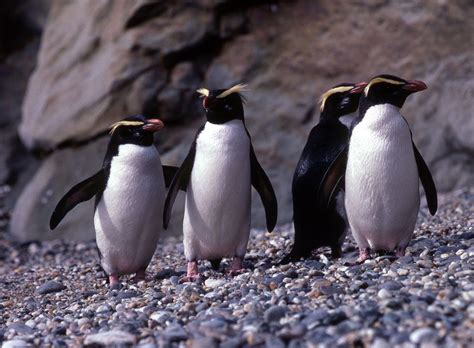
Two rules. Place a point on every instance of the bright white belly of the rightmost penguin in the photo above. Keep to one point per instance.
(382, 197)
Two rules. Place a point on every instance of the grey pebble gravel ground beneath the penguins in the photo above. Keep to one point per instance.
(53, 293)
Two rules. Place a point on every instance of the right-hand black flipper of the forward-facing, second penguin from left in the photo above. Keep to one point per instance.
(264, 187)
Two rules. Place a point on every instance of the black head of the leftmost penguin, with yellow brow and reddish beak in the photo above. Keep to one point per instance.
(135, 130)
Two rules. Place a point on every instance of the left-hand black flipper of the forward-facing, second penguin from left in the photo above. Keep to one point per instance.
(180, 181)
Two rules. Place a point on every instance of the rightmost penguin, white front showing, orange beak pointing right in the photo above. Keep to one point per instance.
(383, 170)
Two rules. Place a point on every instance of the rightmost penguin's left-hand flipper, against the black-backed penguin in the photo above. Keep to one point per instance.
(333, 179)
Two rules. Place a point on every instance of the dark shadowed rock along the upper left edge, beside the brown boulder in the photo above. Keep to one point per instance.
(26, 19)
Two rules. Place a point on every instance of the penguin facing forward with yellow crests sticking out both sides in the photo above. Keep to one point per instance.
(217, 175)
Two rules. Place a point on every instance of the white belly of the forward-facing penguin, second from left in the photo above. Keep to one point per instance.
(217, 211)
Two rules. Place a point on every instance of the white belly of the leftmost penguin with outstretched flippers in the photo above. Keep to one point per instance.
(128, 218)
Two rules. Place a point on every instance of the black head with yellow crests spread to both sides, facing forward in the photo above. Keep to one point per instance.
(223, 105)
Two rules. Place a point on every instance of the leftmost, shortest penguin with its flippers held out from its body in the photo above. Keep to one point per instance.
(129, 193)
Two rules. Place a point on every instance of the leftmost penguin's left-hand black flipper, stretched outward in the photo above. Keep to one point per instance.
(81, 192)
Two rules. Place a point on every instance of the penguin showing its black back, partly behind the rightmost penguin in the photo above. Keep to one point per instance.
(316, 223)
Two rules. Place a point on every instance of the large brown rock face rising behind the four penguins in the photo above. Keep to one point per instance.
(102, 60)
